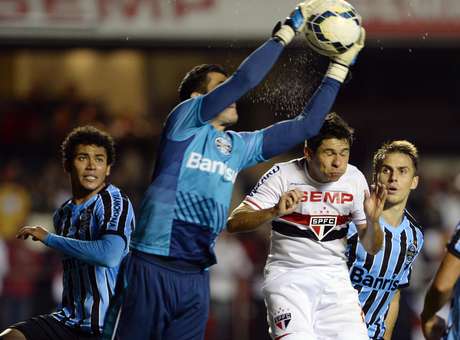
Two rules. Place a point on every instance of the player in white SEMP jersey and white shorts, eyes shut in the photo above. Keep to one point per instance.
(310, 200)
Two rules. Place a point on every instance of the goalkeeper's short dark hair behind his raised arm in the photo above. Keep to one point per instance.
(196, 80)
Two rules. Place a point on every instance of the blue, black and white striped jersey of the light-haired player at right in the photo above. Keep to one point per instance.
(377, 277)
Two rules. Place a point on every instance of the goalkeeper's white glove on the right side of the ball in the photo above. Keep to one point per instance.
(338, 68)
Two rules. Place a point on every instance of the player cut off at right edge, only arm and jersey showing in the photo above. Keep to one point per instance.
(445, 286)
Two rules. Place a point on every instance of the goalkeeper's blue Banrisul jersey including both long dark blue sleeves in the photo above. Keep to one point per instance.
(187, 202)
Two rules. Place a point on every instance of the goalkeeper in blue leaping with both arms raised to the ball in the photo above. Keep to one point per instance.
(163, 292)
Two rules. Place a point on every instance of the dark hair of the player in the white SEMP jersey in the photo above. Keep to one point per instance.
(334, 126)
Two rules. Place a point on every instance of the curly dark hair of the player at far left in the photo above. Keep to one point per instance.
(87, 135)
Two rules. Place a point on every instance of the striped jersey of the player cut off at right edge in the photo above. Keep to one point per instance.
(454, 315)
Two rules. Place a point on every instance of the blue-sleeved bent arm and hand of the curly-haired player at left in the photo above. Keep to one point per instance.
(106, 251)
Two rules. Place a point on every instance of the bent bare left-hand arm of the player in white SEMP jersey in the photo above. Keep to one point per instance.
(244, 218)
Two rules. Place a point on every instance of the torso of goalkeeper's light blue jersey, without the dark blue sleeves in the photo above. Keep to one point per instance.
(187, 202)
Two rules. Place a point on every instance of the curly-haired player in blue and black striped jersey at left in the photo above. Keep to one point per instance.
(93, 231)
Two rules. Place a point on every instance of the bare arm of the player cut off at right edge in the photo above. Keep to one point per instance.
(437, 296)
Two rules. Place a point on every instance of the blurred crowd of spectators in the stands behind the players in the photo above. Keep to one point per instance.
(33, 184)
